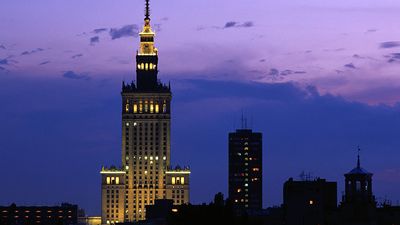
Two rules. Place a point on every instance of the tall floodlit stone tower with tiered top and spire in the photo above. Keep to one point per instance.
(146, 174)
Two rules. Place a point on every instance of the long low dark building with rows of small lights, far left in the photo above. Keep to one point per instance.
(66, 214)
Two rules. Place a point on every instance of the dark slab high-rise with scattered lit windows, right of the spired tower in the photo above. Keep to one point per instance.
(245, 170)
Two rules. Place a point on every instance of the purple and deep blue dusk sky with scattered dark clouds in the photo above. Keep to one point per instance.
(318, 78)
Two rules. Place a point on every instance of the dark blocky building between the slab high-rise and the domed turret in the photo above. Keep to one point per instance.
(309, 202)
